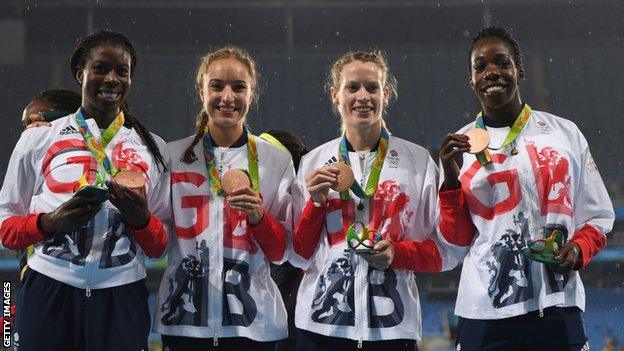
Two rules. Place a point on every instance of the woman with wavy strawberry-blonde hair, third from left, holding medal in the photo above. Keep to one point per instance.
(365, 212)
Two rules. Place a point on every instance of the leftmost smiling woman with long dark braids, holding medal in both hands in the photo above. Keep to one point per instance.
(85, 288)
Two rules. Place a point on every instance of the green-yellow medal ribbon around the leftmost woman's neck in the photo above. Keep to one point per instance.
(97, 147)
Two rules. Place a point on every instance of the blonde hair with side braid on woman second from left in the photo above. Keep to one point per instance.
(223, 53)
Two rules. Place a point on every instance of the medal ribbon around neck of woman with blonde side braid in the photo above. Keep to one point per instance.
(213, 174)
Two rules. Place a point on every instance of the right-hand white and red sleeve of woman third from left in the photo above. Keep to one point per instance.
(428, 255)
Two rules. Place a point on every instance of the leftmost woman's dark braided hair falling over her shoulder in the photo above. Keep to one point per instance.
(78, 59)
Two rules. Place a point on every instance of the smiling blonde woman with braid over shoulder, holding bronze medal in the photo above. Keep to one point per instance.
(231, 207)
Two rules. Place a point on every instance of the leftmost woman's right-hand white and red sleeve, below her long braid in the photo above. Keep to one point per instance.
(154, 238)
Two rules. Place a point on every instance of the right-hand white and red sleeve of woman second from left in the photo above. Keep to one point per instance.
(274, 229)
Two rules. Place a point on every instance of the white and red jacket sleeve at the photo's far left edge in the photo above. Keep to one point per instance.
(18, 227)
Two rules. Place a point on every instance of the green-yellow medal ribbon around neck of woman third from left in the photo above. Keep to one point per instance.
(373, 177)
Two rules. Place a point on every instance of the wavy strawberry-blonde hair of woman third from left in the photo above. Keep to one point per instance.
(376, 57)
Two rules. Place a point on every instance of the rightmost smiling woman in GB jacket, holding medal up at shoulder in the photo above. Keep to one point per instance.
(523, 205)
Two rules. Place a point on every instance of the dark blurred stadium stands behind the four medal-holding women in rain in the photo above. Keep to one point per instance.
(573, 55)
